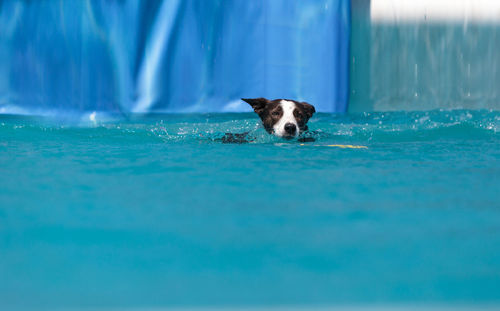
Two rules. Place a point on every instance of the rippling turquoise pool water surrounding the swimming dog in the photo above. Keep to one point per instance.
(155, 211)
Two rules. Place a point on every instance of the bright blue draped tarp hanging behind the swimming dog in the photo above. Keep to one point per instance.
(172, 55)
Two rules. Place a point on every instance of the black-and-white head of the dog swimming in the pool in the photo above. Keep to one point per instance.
(282, 117)
